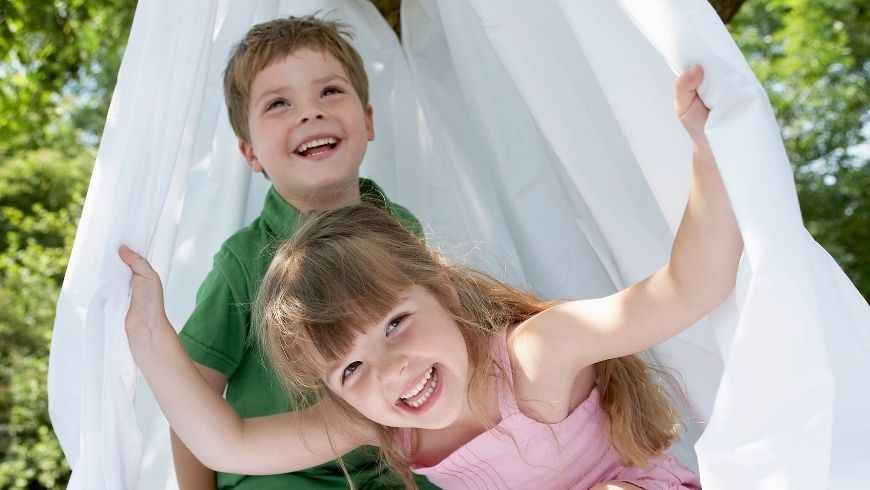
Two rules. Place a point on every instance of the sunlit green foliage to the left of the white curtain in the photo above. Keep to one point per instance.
(58, 64)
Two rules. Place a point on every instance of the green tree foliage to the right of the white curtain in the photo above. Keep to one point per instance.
(813, 57)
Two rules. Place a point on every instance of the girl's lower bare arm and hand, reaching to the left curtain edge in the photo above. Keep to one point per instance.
(208, 425)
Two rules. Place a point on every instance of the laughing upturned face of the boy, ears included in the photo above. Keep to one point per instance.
(308, 129)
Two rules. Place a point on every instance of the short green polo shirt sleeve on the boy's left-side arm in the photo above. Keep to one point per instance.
(216, 332)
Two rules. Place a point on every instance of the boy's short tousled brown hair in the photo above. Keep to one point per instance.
(272, 41)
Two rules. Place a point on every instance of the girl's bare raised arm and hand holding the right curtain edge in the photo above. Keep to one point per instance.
(700, 274)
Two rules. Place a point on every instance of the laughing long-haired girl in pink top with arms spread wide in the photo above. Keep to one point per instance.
(452, 374)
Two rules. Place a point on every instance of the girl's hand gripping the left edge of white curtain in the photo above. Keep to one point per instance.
(146, 311)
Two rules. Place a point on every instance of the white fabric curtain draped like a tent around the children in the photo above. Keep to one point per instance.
(543, 134)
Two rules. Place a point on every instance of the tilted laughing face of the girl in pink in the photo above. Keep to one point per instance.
(410, 369)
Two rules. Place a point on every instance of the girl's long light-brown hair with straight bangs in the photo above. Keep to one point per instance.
(344, 270)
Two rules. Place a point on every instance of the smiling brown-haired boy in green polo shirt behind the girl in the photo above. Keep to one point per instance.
(297, 96)
